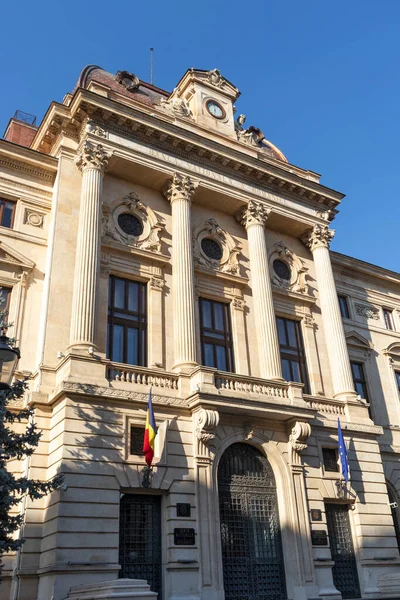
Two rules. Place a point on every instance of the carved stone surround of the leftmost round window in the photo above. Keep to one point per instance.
(131, 204)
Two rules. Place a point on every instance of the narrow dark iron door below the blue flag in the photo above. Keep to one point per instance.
(345, 576)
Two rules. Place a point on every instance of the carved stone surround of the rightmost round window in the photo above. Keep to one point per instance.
(297, 268)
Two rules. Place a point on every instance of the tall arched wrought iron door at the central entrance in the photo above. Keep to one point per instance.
(252, 555)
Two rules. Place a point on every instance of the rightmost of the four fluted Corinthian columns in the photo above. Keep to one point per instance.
(318, 240)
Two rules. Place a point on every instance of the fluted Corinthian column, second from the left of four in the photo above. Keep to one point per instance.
(179, 192)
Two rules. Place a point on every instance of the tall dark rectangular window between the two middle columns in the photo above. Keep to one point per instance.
(216, 335)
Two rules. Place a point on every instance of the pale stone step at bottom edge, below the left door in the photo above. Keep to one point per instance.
(121, 589)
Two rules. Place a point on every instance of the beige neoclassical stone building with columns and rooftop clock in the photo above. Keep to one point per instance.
(153, 239)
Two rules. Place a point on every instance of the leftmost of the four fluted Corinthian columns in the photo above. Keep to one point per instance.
(92, 161)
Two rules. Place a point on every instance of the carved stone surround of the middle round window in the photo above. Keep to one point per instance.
(230, 248)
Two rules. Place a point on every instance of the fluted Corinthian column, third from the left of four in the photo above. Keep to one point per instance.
(254, 217)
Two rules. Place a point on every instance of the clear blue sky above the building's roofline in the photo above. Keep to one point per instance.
(321, 79)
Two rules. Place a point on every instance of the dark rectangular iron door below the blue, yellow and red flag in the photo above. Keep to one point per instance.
(140, 539)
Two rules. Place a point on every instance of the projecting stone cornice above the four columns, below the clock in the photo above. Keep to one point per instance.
(151, 126)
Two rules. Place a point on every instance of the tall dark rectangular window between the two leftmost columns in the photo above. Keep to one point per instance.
(127, 322)
